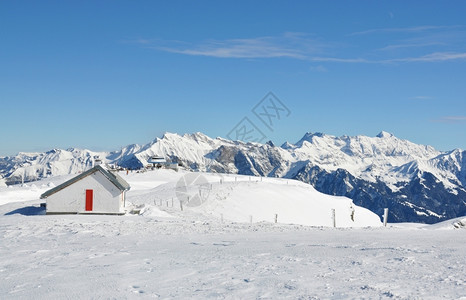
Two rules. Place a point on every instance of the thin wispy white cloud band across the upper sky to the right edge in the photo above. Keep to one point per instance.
(289, 45)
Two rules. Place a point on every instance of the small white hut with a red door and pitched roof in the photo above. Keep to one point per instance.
(96, 191)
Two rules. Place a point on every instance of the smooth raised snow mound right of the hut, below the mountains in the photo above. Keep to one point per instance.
(238, 198)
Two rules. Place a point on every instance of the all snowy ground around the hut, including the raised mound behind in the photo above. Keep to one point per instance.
(169, 253)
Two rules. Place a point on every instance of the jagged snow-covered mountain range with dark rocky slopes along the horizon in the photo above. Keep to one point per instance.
(416, 182)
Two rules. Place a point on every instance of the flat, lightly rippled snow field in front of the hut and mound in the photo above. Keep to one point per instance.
(84, 257)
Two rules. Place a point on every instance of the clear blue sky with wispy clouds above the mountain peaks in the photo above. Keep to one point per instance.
(104, 74)
